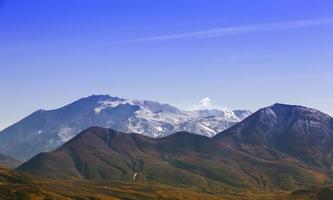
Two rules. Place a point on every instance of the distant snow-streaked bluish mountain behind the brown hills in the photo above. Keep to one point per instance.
(46, 130)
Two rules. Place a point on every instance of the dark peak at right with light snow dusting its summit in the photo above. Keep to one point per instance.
(303, 133)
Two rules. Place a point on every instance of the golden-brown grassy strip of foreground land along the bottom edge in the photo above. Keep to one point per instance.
(16, 186)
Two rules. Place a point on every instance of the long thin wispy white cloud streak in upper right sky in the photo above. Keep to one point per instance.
(224, 31)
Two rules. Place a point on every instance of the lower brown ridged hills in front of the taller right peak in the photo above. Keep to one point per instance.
(178, 160)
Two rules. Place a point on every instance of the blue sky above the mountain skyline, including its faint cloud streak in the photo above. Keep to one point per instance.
(239, 54)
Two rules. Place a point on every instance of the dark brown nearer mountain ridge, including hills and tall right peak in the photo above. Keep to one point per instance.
(278, 147)
